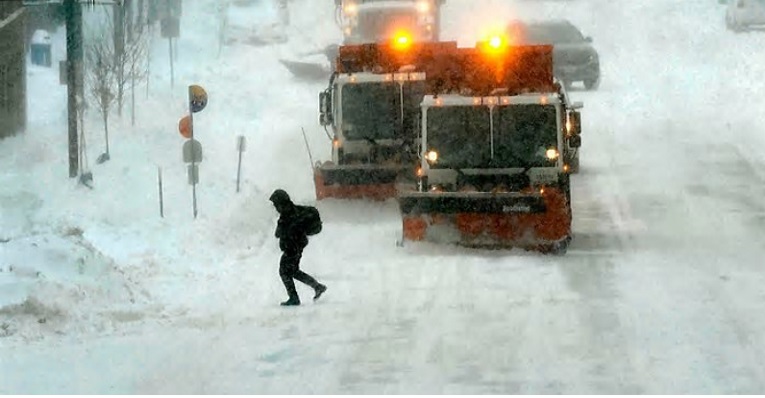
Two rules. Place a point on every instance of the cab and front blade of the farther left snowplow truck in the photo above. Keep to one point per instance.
(373, 121)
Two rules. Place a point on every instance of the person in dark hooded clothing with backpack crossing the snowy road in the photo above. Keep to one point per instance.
(295, 224)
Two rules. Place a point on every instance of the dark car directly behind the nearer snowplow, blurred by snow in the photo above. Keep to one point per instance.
(574, 57)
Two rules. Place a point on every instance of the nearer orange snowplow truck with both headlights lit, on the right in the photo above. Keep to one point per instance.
(492, 139)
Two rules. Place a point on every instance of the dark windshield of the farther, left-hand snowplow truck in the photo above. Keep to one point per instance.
(372, 111)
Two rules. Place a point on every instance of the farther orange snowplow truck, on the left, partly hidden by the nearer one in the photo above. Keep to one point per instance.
(371, 110)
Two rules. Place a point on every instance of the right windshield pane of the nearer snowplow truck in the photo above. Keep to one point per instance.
(523, 134)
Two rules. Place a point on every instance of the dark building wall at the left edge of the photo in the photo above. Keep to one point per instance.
(13, 112)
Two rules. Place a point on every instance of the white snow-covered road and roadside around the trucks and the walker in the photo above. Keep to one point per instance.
(661, 292)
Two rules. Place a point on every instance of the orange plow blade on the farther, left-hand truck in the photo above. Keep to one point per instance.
(356, 182)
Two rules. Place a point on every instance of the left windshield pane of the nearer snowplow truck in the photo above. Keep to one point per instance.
(460, 134)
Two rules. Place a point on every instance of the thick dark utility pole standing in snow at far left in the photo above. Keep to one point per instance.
(74, 55)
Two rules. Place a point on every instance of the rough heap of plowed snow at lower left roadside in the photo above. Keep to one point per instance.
(59, 283)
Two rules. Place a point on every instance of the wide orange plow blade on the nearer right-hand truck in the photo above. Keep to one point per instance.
(532, 221)
